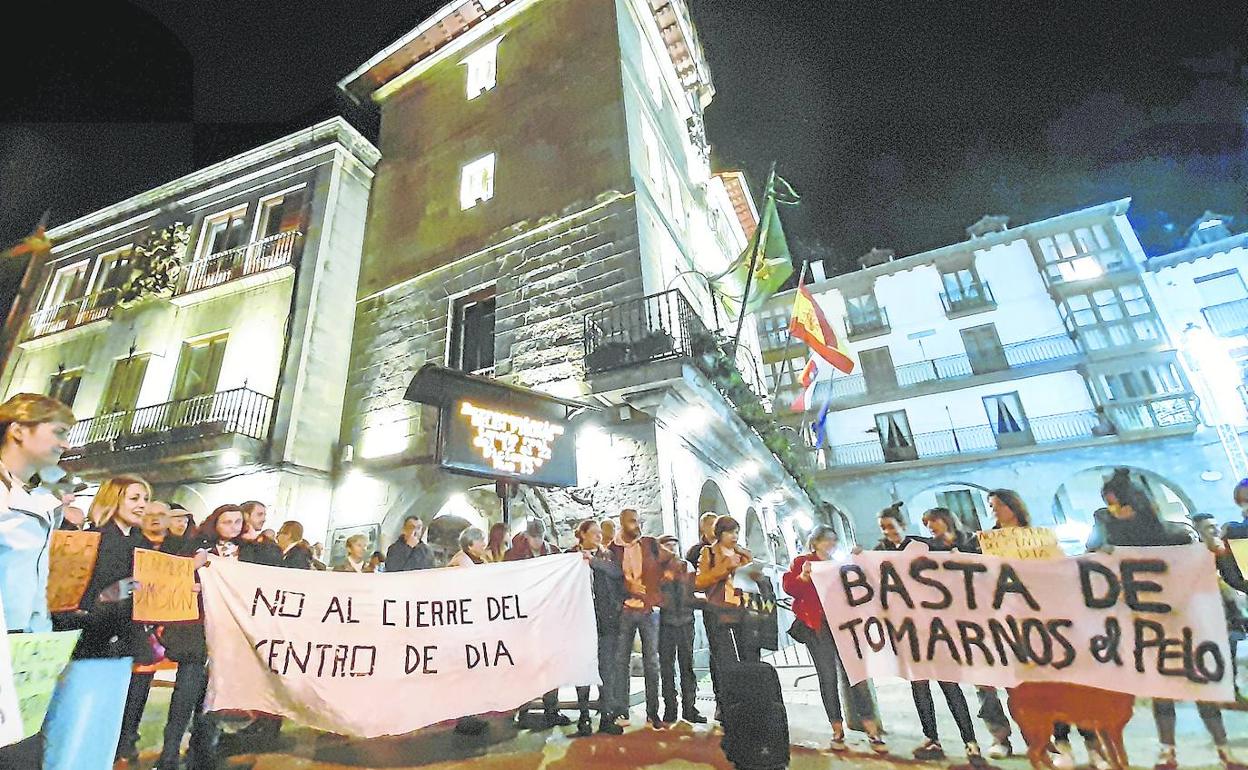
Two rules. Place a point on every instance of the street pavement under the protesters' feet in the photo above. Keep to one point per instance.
(682, 748)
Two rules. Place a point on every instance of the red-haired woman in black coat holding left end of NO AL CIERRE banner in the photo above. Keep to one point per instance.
(219, 537)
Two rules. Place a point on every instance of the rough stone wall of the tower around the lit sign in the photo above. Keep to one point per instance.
(547, 279)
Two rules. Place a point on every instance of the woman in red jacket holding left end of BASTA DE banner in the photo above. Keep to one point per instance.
(818, 638)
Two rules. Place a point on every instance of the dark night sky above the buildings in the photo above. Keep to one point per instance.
(900, 123)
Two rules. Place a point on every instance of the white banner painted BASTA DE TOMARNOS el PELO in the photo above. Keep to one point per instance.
(1144, 621)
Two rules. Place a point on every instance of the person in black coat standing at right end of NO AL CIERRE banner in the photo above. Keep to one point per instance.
(610, 597)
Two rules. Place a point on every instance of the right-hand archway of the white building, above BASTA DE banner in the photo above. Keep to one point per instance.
(1079, 499)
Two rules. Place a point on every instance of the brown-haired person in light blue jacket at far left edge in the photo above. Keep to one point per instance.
(33, 436)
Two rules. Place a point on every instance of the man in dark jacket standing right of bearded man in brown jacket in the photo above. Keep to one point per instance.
(677, 638)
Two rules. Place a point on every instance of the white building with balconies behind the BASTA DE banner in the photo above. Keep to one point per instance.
(1034, 359)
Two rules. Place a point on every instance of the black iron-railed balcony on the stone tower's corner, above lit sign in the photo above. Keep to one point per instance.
(642, 331)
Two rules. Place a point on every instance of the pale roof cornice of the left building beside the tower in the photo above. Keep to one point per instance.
(336, 134)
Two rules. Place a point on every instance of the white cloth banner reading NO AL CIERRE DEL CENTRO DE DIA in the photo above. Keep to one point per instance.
(444, 643)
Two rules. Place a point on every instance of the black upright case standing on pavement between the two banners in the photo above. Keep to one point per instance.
(754, 718)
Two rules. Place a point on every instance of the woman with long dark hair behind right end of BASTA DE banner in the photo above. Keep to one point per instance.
(1134, 522)
